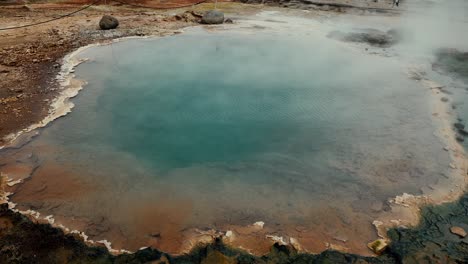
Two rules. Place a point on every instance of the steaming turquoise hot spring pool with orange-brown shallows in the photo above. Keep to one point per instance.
(175, 137)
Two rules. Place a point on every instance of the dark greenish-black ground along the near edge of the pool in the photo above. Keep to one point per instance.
(22, 241)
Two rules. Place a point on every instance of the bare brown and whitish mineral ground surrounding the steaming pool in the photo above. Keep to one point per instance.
(31, 60)
